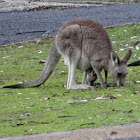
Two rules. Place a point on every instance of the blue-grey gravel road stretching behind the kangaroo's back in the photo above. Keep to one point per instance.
(24, 26)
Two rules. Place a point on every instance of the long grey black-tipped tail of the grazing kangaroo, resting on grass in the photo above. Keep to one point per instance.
(50, 64)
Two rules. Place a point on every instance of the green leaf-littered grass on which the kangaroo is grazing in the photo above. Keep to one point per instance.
(51, 107)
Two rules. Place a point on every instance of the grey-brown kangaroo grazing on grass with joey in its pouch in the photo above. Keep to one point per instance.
(85, 45)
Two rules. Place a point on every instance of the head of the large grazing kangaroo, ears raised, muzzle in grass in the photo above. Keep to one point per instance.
(119, 67)
